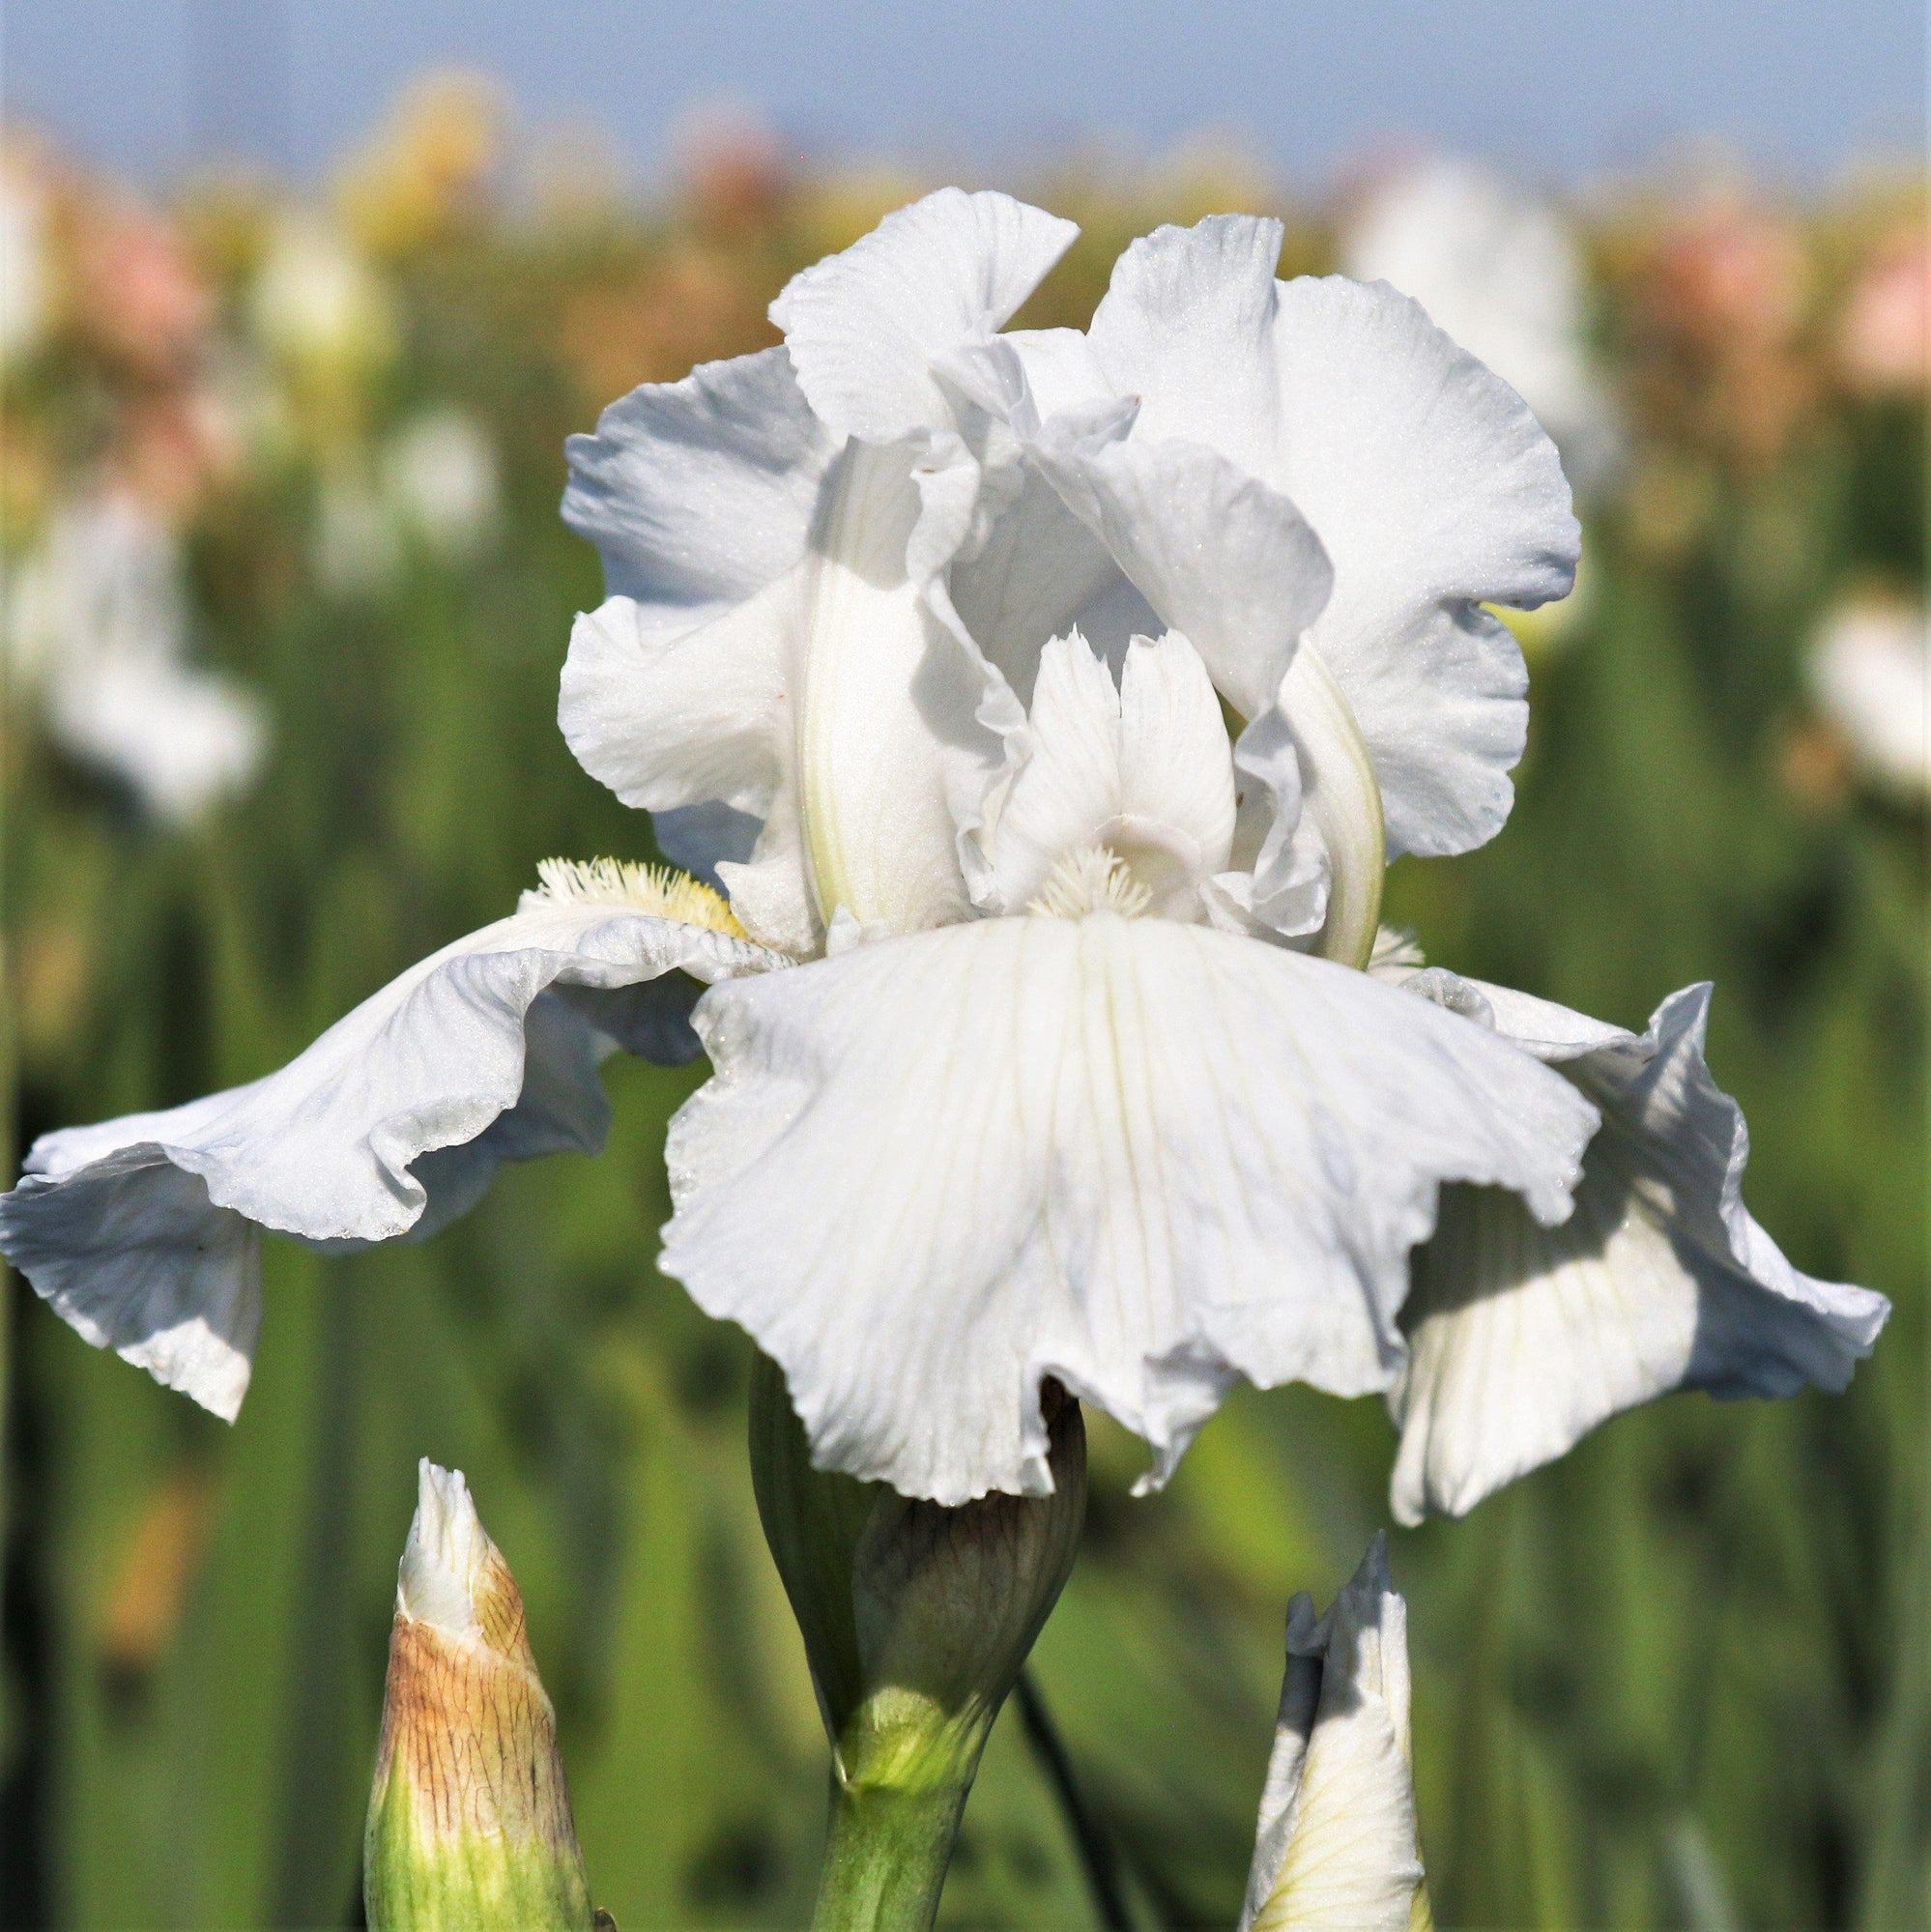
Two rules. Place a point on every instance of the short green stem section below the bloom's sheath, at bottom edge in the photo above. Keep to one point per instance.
(886, 1856)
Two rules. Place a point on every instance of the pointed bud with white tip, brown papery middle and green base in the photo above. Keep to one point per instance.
(469, 1821)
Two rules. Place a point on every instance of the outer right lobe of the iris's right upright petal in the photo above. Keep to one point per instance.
(1433, 492)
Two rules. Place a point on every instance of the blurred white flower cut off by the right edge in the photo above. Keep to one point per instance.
(1870, 671)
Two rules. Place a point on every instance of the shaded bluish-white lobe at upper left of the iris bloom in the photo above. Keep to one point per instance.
(699, 494)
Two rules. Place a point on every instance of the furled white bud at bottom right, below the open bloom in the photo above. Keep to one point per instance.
(1339, 1844)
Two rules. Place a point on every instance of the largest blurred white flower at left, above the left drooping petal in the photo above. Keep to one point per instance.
(98, 623)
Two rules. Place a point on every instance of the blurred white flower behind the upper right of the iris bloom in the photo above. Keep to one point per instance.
(1501, 271)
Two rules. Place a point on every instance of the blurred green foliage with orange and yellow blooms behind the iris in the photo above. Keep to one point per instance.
(1679, 1678)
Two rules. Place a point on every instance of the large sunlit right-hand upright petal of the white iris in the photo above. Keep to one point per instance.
(1426, 478)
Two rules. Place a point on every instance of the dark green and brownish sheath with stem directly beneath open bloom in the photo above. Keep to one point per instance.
(917, 1620)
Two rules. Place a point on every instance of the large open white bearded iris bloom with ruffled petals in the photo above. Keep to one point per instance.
(1049, 706)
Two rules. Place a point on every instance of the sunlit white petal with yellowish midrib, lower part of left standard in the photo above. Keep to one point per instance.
(836, 706)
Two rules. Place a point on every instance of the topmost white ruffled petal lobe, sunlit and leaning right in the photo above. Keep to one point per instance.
(867, 327)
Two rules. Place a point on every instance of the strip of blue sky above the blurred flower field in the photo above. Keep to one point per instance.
(1559, 90)
